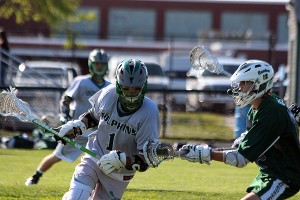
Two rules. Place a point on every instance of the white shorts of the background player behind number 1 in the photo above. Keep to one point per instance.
(70, 153)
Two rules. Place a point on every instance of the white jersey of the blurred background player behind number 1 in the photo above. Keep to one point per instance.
(81, 89)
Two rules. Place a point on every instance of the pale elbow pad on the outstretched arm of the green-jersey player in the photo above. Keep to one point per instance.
(234, 158)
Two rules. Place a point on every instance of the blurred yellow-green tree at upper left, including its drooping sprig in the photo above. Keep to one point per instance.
(58, 14)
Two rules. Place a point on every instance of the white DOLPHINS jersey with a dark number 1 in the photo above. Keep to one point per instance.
(117, 131)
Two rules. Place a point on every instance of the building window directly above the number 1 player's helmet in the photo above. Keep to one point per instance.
(126, 23)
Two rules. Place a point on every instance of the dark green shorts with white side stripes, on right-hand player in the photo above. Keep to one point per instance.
(267, 187)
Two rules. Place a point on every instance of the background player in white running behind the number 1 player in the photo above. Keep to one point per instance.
(78, 93)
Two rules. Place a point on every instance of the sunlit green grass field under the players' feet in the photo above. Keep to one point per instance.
(175, 179)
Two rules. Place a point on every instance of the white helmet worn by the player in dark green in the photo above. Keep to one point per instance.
(260, 73)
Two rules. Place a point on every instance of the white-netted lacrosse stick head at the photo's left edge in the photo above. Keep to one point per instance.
(10, 105)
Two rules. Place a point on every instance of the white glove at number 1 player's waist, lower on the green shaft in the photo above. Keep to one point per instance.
(114, 160)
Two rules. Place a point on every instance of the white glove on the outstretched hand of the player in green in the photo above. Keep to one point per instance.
(197, 153)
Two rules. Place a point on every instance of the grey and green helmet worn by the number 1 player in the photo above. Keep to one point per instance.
(131, 73)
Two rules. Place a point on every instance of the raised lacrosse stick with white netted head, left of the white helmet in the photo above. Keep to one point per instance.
(201, 59)
